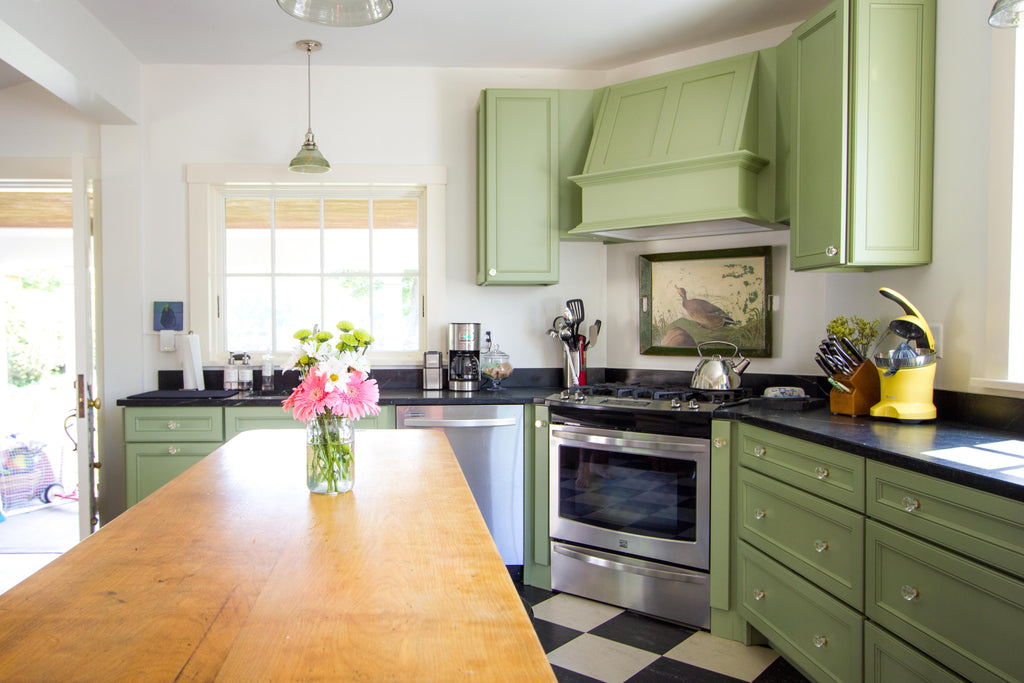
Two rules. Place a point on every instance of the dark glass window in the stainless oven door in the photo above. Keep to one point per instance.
(629, 493)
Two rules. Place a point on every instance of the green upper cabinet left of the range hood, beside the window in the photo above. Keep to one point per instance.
(528, 143)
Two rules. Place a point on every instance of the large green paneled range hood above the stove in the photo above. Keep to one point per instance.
(684, 154)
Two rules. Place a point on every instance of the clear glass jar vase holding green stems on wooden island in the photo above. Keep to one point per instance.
(330, 454)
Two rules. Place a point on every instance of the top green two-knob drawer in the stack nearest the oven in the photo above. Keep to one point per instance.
(833, 475)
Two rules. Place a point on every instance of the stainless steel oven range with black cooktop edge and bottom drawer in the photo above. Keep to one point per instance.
(631, 504)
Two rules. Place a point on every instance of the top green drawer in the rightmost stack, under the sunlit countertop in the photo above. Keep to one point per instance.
(988, 528)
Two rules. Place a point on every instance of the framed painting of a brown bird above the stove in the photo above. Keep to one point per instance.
(690, 298)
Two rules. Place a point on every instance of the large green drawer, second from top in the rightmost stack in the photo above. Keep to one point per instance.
(965, 615)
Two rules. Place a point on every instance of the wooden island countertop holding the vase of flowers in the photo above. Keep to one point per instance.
(235, 572)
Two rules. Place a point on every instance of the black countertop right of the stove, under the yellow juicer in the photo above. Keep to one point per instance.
(955, 452)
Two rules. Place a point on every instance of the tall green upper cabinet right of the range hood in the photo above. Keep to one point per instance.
(863, 98)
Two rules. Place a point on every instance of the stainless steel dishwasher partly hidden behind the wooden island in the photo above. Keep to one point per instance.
(488, 444)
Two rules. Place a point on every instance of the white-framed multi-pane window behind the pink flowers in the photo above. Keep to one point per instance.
(270, 259)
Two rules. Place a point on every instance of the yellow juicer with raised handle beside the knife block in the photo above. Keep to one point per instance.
(905, 358)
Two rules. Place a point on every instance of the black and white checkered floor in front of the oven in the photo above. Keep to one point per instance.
(589, 642)
